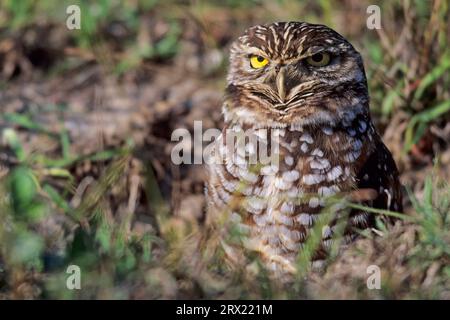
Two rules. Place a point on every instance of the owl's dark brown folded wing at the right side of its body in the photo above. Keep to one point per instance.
(378, 172)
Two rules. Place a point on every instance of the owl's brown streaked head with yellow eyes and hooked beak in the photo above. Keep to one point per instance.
(294, 73)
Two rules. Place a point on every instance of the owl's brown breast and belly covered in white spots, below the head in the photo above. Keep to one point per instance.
(279, 194)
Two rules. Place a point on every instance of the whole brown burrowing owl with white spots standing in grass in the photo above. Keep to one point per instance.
(303, 87)
